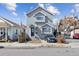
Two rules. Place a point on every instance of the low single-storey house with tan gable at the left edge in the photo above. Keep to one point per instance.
(8, 29)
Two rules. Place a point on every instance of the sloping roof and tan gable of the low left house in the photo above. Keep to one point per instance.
(7, 23)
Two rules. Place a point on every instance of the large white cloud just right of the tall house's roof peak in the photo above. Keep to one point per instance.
(50, 8)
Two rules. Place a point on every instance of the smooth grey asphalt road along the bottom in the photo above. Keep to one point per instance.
(40, 52)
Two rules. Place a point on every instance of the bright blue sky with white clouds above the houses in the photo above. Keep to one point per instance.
(16, 12)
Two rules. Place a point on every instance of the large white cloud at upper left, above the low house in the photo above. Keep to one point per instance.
(11, 7)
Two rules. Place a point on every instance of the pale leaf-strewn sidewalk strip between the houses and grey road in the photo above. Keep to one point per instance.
(43, 43)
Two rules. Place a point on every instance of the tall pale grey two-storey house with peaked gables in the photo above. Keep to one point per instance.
(40, 23)
